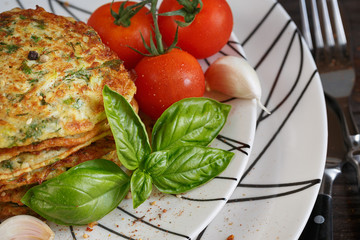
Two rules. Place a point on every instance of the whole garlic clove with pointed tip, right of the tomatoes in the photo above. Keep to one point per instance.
(234, 77)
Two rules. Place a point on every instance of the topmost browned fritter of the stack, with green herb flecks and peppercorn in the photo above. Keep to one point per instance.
(52, 73)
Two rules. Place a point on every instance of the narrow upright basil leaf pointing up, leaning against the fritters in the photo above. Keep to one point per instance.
(132, 142)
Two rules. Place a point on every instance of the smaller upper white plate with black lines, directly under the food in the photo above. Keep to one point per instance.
(171, 217)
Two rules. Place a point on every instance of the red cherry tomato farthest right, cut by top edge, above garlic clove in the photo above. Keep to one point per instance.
(206, 35)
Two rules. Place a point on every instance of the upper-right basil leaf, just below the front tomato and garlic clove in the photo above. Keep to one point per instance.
(189, 122)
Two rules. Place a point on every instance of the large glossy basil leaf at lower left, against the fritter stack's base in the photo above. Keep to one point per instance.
(82, 195)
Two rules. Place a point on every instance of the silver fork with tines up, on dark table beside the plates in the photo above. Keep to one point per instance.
(332, 55)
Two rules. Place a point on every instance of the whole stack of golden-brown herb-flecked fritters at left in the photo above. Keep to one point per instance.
(52, 72)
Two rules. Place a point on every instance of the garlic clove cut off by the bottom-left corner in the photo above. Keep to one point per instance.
(23, 227)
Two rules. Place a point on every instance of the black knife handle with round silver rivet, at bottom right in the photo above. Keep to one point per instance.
(320, 223)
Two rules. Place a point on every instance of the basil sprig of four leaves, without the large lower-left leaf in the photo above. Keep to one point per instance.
(180, 160)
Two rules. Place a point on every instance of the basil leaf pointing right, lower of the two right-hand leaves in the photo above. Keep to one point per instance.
(189, 167)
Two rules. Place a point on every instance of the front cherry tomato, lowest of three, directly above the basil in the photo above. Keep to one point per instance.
(165, 79)
